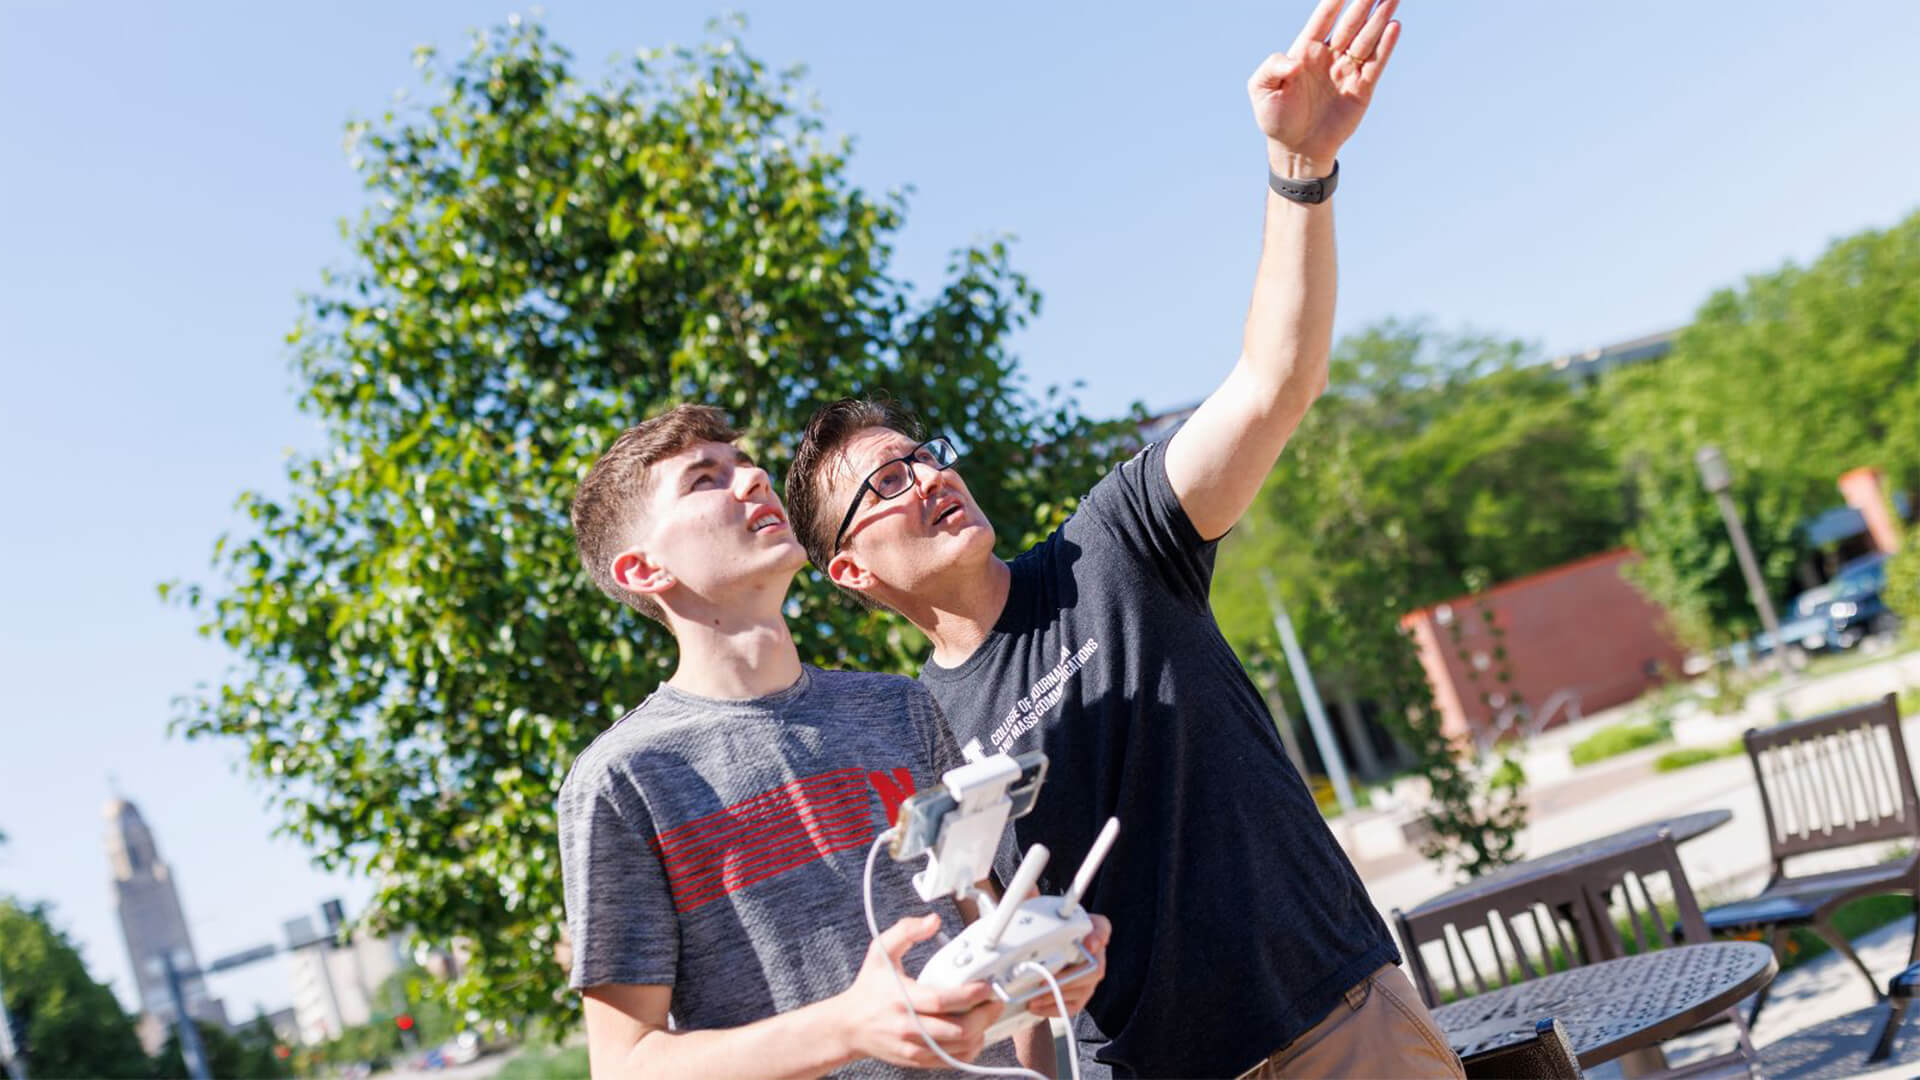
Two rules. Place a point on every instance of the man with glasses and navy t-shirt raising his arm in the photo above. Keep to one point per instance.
(1247, 943)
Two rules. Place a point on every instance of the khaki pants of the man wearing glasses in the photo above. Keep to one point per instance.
(1380, 1031)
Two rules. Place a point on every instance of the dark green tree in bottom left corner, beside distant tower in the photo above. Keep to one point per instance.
(74, 1025)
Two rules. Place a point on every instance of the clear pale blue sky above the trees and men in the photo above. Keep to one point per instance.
(1570, 174)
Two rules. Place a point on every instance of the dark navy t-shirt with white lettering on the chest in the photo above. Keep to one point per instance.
(1237, 918)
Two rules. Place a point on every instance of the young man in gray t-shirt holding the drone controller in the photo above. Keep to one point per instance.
(715, 841)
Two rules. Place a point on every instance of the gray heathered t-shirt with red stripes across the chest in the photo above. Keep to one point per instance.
(719, 847)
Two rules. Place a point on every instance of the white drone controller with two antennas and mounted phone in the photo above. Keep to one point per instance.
(959, 829)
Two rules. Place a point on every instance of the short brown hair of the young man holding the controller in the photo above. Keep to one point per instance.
(612, 501)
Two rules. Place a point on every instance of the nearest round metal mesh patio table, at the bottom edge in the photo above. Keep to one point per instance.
(1616, 1008)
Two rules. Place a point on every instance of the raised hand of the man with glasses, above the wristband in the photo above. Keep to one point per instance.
(1310, 99)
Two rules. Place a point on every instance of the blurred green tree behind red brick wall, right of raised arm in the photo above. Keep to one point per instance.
(1460, 464)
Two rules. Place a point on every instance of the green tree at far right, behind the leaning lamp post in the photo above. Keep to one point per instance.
(1798, 376)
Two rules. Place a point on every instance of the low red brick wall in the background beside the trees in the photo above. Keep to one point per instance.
(1575, 627)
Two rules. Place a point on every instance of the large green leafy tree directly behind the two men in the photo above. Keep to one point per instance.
(416, 652)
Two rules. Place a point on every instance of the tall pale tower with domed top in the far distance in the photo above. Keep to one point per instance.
(151, 918)
